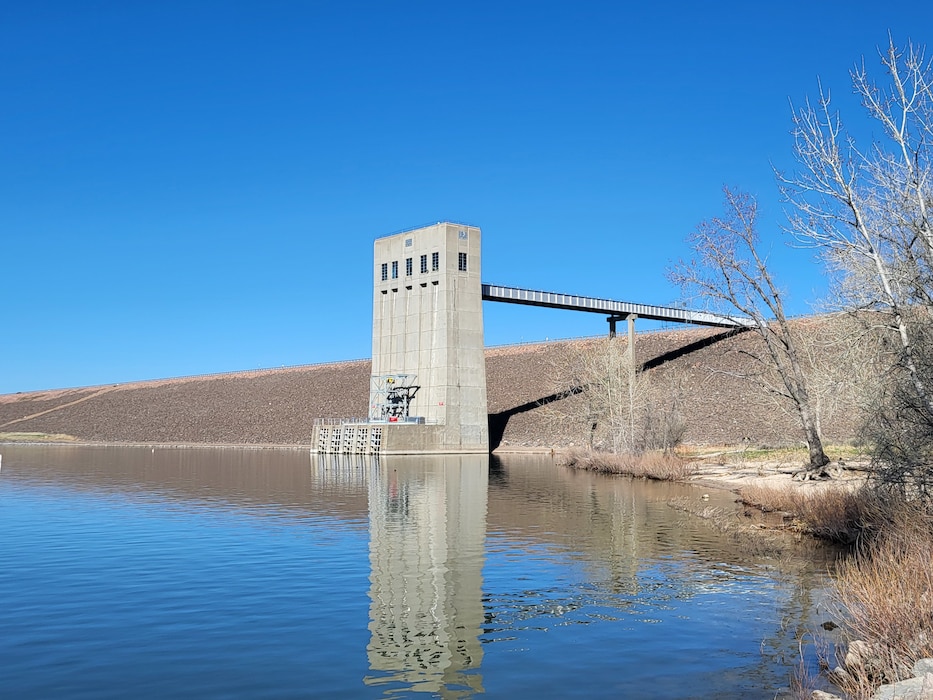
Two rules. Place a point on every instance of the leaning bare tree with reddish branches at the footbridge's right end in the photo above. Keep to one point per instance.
(730, 274)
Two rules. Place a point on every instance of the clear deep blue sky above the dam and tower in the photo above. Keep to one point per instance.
(194, 187)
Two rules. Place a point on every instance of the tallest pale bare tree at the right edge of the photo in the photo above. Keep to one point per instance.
(867, 210)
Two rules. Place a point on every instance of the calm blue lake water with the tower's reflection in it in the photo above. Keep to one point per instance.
(128, 572)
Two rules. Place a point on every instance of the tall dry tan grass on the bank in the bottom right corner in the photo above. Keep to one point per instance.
(884, 589)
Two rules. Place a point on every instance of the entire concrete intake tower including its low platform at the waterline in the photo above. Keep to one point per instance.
(428, 382)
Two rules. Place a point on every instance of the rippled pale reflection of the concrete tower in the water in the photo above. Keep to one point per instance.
(427, 518)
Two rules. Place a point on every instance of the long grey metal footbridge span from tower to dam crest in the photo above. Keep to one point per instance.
(620, 309)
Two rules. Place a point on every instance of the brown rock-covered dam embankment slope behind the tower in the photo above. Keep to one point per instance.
(279, 406)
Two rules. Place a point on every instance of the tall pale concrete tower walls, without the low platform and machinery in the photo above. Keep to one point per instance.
(428, 321)
